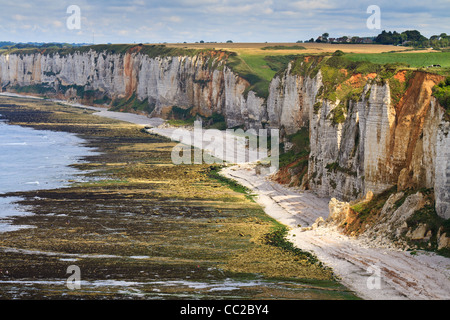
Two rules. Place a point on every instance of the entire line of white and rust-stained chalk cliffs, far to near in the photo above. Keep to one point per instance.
(371, 145)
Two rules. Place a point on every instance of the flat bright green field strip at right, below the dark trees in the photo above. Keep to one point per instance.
(413, 59)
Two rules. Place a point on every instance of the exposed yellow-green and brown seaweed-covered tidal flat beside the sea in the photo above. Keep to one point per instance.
(161, 230)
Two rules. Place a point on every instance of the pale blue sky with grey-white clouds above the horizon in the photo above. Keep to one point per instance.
(177, 21)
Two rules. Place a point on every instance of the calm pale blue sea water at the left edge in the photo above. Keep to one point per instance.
(34, 159)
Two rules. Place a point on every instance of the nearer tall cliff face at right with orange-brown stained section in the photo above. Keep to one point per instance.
(376, 144)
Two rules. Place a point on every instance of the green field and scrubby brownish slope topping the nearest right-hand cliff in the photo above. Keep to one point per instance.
(345, 75)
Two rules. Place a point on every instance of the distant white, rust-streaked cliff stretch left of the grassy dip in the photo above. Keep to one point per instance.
(182, 81)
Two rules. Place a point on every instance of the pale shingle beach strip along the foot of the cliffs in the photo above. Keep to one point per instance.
(402, 275)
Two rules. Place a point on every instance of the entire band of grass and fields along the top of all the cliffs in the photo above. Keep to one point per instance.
(259, 65)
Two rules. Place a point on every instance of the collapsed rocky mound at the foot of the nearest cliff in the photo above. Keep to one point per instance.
(393, 226)
